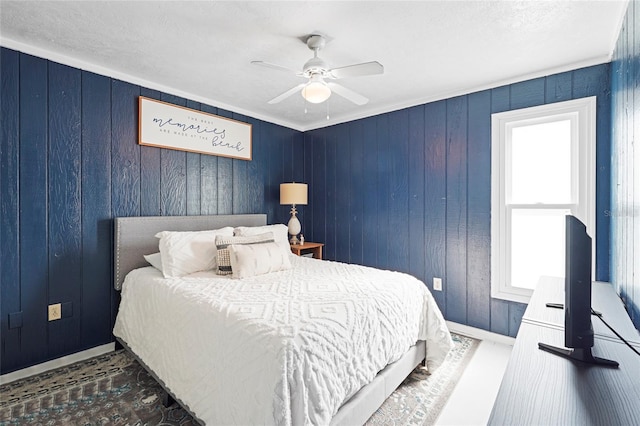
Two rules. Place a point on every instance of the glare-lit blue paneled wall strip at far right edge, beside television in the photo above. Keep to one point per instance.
(625, 189)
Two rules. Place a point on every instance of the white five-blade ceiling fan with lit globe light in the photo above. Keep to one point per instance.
(316, 90)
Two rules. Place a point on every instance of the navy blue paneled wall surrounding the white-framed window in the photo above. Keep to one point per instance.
(411, 190)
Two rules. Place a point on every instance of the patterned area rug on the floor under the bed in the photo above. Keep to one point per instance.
(113, 389)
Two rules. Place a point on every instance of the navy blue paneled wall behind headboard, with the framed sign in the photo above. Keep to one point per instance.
(70, 163)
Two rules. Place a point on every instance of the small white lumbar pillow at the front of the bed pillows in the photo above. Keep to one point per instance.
(257, 259)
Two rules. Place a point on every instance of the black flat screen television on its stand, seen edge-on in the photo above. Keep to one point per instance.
(578, 330)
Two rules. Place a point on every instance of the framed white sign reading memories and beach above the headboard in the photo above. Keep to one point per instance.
(174, 127)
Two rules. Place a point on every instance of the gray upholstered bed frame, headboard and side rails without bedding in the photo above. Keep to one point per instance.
(135, 237)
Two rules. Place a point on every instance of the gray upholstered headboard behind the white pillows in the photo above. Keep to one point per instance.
(135, 236)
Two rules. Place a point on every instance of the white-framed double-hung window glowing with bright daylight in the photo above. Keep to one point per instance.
(543, 167)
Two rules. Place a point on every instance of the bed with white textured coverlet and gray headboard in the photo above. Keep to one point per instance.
(317, 342)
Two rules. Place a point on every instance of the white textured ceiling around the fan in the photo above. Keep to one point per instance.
(202, 49)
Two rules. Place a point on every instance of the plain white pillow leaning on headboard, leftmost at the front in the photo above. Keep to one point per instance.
(184, 253)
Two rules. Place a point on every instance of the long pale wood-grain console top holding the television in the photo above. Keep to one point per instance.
(541, 388)
